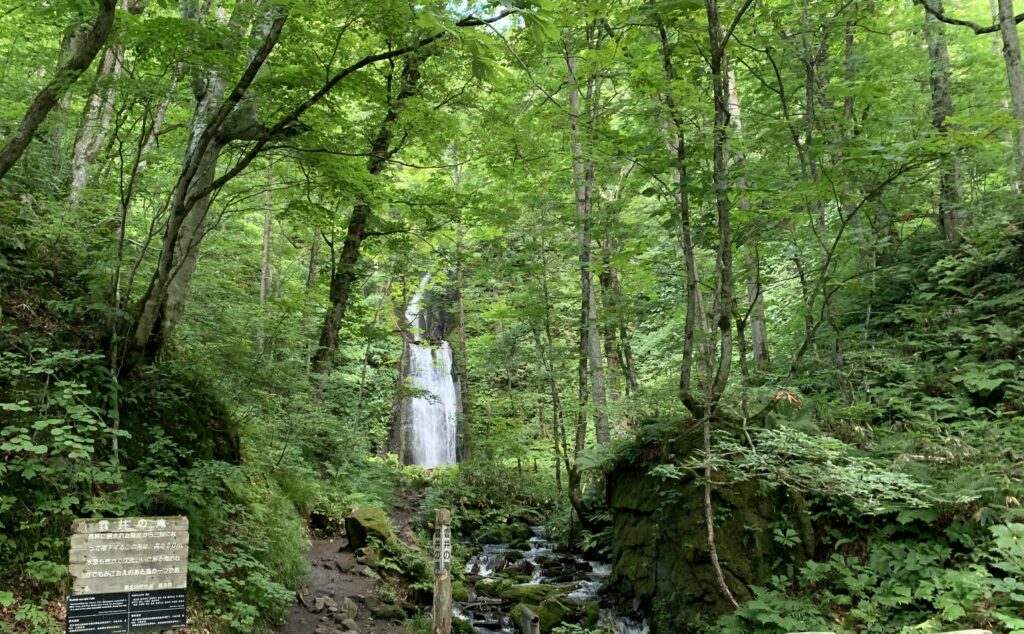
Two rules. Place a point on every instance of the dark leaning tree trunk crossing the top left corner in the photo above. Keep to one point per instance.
(86, 52)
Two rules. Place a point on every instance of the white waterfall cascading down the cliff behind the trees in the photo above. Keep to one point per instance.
(433, 417)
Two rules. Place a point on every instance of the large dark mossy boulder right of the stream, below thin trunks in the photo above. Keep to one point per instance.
(660, 546)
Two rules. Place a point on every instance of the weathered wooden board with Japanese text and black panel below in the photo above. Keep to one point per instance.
(130, 575)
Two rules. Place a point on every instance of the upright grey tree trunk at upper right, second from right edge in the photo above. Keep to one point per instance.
(951, 190)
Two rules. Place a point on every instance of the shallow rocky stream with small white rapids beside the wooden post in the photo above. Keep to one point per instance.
(584, 579)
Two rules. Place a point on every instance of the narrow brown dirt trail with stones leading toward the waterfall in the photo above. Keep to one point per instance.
(339, 598)
